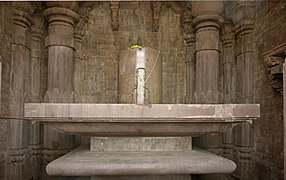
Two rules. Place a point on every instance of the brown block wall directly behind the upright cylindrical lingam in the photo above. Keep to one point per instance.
(101, 47)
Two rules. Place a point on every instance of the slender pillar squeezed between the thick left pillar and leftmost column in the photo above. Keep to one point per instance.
(35, 144)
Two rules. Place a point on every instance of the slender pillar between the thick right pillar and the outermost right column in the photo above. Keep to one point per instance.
(228, 66)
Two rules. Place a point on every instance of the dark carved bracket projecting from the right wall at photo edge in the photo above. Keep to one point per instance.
(274, 59)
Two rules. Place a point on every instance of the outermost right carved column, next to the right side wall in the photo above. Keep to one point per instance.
(242, 14)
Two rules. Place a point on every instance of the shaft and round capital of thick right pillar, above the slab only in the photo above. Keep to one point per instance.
(207, 58)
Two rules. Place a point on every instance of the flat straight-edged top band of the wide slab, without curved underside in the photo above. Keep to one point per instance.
(131, 112)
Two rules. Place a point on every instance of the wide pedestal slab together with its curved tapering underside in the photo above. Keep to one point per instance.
(135, 120)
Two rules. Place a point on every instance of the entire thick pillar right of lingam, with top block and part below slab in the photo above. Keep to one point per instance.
(207, 23)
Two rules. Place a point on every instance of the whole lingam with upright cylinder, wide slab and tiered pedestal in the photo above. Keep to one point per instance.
(139, 135)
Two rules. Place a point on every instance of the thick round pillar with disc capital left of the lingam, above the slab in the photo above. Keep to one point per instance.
(60, 44)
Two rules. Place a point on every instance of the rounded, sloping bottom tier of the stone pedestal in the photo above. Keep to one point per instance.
(82, 162)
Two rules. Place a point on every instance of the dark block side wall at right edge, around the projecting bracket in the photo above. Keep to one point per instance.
(270, 27)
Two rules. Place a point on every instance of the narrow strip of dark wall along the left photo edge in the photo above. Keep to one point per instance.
(6, 27)
